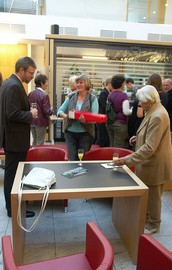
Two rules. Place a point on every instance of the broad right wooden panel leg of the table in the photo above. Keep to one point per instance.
(128, 216)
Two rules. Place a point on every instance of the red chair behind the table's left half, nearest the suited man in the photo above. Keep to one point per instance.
(48, 153)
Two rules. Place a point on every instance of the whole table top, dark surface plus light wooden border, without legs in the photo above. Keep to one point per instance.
(96, 179)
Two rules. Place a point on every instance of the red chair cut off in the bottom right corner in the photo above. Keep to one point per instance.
(152, 255)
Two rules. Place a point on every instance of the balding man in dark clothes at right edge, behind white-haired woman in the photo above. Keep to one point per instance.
(167, 86)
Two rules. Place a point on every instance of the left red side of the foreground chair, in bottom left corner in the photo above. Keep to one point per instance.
(7, 253)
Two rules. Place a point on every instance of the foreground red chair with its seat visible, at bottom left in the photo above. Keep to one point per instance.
(98, 255)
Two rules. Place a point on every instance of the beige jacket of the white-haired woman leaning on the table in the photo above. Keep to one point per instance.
(153, 155)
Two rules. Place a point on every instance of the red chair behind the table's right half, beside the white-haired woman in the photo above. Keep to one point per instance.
(106, 153)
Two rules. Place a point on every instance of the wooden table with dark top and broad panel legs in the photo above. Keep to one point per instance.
(128, 192)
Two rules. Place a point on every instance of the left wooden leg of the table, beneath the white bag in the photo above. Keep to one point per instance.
(18, 233)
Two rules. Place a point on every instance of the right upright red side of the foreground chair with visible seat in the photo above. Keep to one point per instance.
(99, 251)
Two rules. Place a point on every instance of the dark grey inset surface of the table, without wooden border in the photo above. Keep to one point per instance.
(96, 176)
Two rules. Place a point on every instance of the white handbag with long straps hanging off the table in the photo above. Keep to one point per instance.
(41, 179)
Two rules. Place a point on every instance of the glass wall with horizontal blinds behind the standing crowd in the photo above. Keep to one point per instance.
(99, 59)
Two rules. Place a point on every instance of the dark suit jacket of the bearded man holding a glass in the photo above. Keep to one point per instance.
(15, 116)
